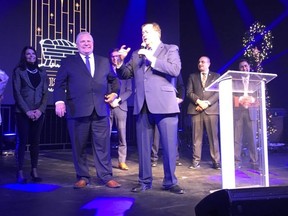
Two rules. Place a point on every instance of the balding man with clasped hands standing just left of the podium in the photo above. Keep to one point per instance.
(204, 109)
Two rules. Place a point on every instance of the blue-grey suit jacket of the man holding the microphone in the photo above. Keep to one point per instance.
(154, 85)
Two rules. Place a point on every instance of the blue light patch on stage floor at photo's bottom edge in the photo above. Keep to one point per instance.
(110, 205)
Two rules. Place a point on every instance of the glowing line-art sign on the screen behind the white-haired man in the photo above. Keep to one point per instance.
(54, 25)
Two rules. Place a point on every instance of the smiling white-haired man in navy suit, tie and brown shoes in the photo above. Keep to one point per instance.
(81, 91)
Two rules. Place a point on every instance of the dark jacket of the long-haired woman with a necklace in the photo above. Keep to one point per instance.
(26, 96)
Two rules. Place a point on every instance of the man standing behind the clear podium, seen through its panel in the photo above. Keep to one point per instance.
(245, 119)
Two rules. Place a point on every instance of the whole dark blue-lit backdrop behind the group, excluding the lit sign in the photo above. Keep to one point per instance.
(117, 22)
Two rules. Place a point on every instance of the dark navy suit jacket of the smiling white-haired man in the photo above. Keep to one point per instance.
(81, 92)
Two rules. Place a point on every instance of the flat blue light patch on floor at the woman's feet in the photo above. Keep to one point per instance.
(33, 188)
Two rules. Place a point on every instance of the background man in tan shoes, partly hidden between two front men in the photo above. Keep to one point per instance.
(118, 112)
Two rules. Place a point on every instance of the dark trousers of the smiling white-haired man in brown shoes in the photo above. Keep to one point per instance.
(98, 129)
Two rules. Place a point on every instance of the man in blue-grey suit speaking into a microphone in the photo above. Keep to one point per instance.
(155, 68)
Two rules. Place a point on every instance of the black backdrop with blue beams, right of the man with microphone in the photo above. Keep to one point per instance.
(219, 36)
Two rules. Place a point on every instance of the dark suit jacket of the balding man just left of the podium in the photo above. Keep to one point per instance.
(196, 91)
